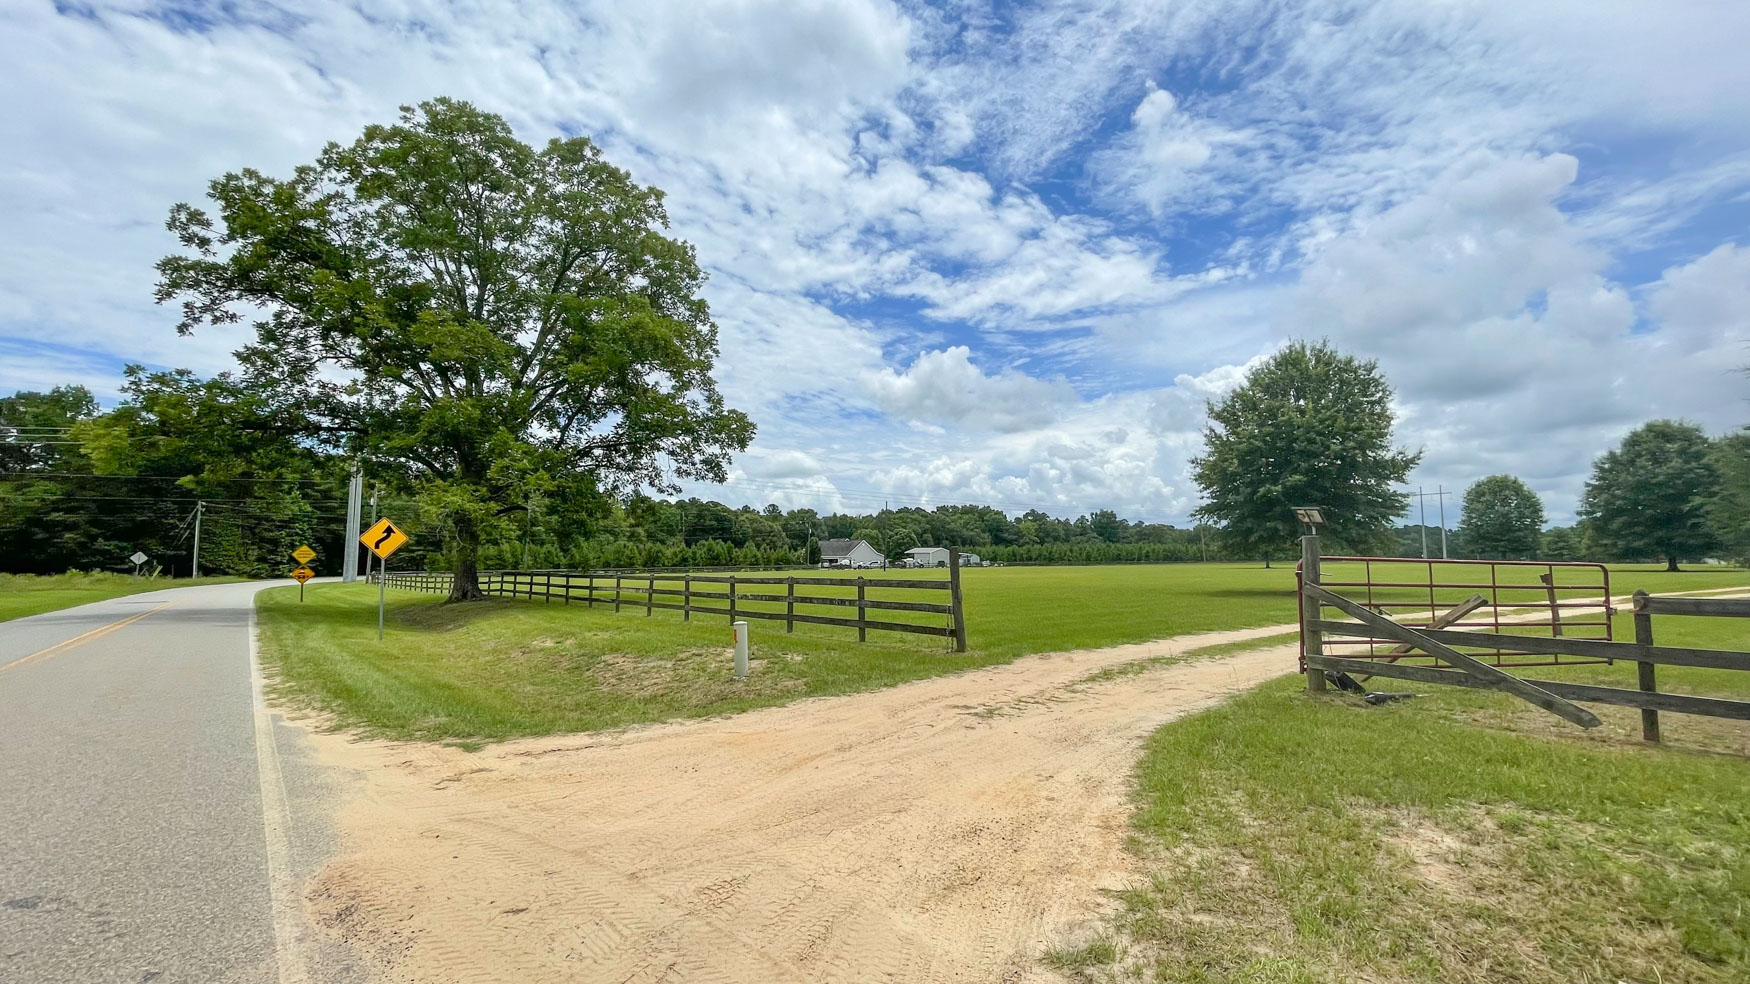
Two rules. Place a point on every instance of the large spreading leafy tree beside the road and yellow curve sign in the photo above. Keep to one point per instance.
(477, 320)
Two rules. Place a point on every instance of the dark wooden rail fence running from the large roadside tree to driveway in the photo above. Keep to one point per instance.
(724, 594)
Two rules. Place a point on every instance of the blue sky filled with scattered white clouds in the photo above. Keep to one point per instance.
(998, 251)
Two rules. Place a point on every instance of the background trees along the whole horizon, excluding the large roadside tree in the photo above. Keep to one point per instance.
(83, 489)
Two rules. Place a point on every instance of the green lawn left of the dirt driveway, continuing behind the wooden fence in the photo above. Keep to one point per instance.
(524, 668)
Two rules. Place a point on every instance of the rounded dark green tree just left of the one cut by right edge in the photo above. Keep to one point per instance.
(1649, 496)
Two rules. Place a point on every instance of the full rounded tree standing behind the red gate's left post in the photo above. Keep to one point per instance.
(1308, 428)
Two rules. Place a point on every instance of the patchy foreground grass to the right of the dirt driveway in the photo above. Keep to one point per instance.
(1455, 838)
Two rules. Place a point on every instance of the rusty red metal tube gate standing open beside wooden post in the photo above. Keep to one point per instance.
(1522, 598)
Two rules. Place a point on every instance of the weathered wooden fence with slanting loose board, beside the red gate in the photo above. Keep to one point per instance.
(1553, 696)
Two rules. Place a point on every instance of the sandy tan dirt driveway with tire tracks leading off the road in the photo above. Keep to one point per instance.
(949, 829)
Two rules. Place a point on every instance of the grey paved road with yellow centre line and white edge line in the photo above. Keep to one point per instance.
(155, 820)
